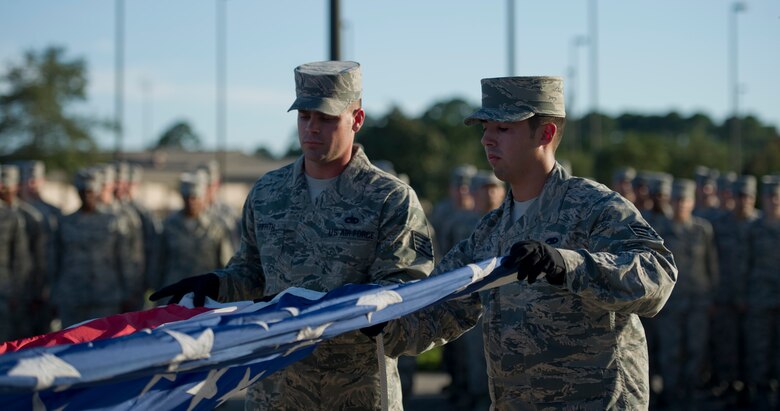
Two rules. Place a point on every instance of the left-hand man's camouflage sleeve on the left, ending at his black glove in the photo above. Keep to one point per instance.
(243, 278)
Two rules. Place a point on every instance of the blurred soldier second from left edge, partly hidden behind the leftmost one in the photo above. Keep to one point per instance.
(33, 177)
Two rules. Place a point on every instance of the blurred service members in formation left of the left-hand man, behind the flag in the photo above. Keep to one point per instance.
(103, 258)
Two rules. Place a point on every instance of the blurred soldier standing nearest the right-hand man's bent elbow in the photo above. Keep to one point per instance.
(684, 322)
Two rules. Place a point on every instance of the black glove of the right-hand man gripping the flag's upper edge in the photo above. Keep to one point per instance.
(531, 258)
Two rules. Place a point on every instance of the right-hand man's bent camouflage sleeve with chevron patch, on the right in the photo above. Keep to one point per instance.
(626, 267)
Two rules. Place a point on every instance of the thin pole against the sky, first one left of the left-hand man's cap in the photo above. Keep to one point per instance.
(221, 37)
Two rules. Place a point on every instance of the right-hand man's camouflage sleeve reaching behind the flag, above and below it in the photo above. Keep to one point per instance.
(440, 323)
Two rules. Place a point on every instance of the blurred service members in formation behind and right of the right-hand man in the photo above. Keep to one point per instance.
(717, 336)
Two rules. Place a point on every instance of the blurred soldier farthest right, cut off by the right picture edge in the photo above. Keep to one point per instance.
(762, 321)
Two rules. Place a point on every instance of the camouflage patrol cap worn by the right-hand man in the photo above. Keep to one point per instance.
(511, 99)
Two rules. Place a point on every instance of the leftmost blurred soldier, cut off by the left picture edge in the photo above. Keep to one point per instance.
(15, 264)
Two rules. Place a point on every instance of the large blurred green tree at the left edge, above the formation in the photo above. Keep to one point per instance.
(35, 117)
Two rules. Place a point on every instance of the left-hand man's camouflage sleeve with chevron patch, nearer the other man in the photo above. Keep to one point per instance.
(404, 250)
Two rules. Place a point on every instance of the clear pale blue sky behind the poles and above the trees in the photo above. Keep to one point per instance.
(653, 56)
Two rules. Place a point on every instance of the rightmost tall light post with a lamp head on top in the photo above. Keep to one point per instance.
(736, 134)
